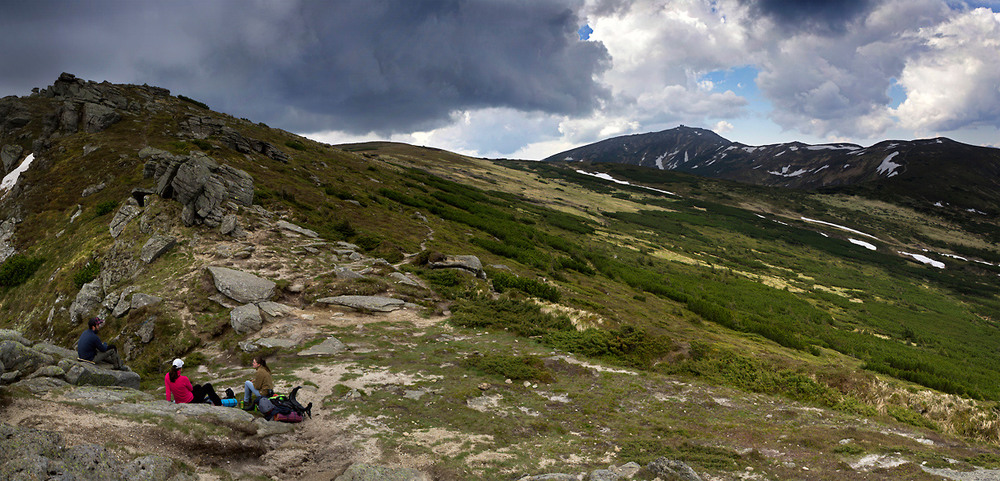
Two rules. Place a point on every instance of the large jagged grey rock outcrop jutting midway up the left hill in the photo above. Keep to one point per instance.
(204, 187)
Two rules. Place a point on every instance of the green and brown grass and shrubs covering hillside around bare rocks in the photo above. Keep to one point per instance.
(787, 306)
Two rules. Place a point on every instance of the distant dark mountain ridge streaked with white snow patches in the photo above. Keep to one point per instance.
(914, 168)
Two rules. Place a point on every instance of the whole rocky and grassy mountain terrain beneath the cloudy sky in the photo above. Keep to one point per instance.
(455, 318)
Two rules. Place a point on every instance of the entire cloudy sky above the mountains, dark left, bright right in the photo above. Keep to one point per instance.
(526, 79)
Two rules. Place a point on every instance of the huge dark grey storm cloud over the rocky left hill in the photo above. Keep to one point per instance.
(356, 66)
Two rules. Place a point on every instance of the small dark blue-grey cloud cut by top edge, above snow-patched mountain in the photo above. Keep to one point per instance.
(819, 16)
